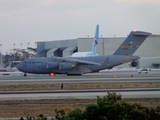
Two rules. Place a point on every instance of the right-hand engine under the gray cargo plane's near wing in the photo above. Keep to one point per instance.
(66, 65)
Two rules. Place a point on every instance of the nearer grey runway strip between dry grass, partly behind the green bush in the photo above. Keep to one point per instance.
(79, 94)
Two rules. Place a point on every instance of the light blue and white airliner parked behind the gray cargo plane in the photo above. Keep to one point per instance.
(93, 52)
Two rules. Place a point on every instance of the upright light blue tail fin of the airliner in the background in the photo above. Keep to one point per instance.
(96, 39)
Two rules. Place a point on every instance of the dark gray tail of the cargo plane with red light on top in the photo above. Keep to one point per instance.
(132, 43)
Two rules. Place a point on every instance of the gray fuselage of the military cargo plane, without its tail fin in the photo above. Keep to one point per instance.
(48, 65)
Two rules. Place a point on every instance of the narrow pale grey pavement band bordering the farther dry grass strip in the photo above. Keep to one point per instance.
(81, 80)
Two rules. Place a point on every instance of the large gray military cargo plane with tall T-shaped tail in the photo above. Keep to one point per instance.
(83, 65)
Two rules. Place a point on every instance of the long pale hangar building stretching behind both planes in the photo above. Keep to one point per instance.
(149, 49)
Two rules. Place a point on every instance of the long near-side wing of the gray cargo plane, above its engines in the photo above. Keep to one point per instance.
(78, 61)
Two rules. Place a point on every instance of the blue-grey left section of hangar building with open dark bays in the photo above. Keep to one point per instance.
(59, 48)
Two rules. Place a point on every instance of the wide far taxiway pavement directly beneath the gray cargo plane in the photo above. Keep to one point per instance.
(103, 77)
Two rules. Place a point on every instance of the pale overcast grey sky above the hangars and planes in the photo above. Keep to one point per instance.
(30, 21)
